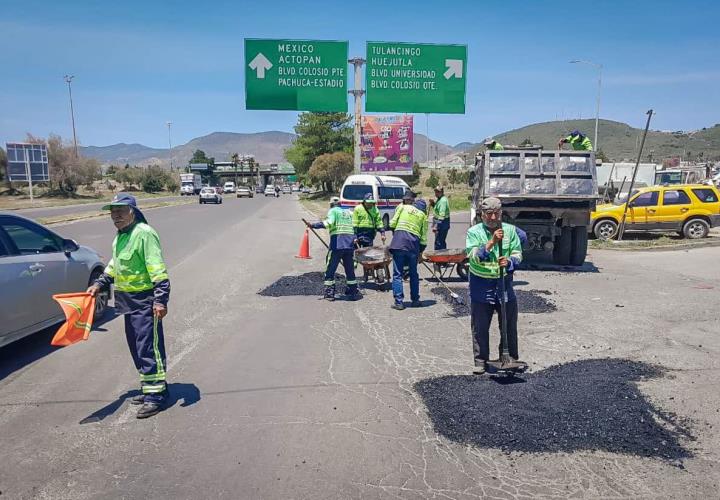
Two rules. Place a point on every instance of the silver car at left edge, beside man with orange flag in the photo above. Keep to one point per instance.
(35, 264)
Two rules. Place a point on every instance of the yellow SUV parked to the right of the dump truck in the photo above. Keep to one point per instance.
(689, 209)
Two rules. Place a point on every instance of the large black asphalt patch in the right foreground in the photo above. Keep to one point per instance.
(583, 405)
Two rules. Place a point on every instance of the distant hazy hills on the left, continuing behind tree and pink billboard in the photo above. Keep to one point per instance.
(268, 147)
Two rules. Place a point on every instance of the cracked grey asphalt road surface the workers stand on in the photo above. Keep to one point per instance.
(294, 397)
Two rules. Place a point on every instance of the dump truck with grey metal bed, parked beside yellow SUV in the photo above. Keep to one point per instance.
(549, 194)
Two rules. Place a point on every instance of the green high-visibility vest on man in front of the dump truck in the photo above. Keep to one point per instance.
(478, 236)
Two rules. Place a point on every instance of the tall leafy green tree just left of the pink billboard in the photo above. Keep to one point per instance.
(318, 134)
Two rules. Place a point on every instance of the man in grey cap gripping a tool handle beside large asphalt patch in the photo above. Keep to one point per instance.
(490, 245)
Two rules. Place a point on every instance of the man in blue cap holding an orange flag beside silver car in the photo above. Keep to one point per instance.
(142, 291)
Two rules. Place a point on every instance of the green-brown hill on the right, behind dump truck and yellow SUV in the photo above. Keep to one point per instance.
(619, 141)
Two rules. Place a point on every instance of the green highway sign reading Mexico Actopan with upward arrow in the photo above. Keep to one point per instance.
(302, 75)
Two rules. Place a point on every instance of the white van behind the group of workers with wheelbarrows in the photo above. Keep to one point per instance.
(388, 193)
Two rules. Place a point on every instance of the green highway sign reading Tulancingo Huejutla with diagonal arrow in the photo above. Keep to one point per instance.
(415, 77)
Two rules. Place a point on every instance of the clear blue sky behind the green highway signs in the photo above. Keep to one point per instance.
(139, 64)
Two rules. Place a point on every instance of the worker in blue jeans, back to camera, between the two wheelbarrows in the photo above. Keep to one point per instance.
(409, 226)
